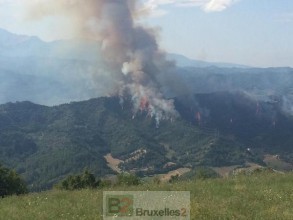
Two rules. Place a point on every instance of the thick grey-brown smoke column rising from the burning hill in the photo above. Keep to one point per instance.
(130, 50)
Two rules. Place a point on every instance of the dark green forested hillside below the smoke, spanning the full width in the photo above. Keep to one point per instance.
(47, 143)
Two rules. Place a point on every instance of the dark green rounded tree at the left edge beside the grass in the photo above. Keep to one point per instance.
(11, 183)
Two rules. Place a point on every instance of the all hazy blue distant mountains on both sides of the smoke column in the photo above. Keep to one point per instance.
(57, 72)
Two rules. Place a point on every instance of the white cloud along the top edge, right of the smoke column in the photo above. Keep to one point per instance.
(155, 6)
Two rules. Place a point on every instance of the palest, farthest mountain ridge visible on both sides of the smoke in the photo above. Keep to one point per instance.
(12, 45)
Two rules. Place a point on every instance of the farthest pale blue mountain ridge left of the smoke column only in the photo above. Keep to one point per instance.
(12, 45)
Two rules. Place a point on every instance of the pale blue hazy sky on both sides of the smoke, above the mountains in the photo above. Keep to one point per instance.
(251, 32)
